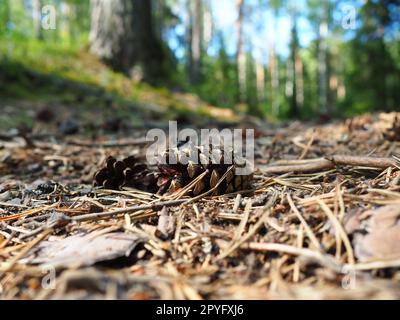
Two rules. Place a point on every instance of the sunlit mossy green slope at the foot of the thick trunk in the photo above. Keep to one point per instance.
(52, 74)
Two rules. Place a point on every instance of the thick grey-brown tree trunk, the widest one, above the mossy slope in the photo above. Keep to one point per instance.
(122, 35)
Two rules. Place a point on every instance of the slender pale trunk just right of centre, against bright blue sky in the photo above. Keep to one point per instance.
(240, 56)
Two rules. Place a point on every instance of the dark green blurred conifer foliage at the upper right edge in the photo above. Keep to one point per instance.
(373, 73)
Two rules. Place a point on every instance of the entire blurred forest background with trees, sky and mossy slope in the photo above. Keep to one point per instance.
(274, 59)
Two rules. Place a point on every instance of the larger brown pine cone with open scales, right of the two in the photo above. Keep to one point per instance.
(174, 176)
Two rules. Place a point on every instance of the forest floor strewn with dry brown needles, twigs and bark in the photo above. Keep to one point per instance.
(316, 225)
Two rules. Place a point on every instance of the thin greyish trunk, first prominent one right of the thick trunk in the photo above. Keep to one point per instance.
(196, 41)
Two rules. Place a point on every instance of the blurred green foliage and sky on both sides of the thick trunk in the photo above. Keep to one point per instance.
(361, 65)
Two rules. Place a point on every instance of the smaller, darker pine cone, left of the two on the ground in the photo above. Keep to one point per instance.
(128, 172)
